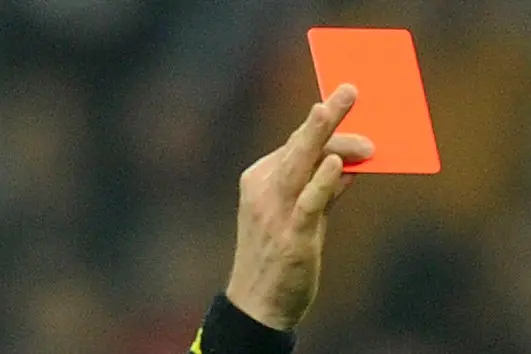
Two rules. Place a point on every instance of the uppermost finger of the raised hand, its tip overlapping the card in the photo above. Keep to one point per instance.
(305, 146)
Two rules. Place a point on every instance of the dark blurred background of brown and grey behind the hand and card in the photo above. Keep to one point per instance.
(125, 124)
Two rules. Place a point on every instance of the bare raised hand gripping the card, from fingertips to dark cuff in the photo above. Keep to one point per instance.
(284, 200)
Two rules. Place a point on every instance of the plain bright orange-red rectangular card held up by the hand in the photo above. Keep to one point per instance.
(391, 108)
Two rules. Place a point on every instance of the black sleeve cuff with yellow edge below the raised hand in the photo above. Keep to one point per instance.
(227, 330)
